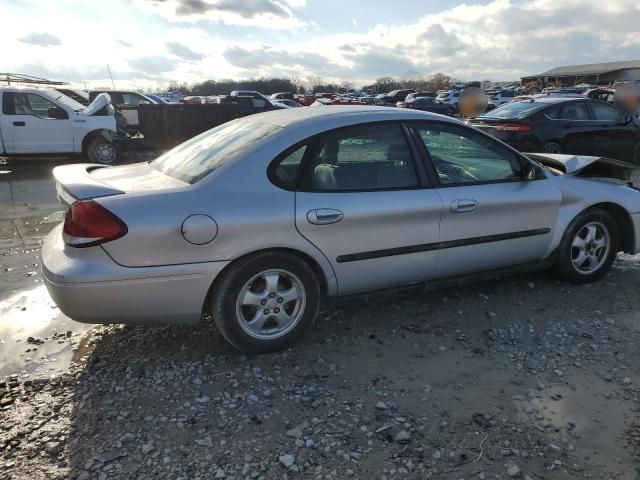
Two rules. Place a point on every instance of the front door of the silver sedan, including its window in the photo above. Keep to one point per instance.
(492, 216)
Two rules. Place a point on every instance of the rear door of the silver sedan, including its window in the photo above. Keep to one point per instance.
(365, 203)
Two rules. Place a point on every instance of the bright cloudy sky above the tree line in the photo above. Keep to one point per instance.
(149, 43)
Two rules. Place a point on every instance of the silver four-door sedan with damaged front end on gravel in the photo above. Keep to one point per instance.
(260, 219)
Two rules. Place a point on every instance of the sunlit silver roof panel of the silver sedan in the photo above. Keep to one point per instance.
(364, 114)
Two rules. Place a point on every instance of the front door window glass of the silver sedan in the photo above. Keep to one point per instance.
(462, 156)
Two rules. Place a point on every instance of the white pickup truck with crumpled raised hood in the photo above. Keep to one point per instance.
(35, 121)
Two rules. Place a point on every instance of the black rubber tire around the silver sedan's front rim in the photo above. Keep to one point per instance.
(564, 268)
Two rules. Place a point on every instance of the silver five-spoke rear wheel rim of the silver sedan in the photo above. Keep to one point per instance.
(270, 304)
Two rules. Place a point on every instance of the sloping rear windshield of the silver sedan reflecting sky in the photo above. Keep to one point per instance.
(198, 157)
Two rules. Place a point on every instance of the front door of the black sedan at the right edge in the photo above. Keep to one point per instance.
(612, 137)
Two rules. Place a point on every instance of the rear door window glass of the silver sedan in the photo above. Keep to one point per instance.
(370, 157)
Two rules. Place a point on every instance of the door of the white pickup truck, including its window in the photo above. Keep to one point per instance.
(28, 126)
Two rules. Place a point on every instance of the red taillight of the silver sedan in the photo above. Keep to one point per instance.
(88, 223)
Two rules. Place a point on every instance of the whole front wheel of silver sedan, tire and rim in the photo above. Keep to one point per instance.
(588, 248)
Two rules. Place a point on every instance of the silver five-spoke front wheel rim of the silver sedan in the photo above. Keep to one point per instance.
(590, 248)
